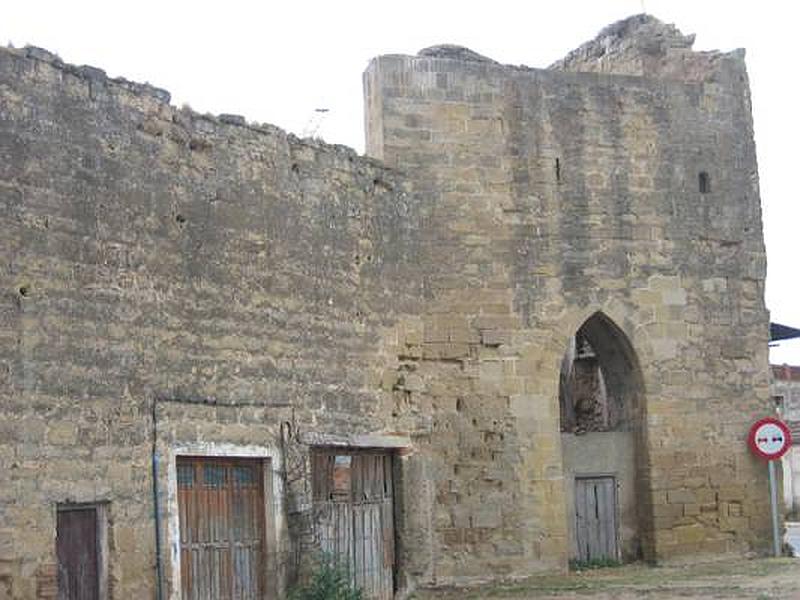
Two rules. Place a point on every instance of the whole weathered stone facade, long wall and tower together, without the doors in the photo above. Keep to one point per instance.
(175, 282)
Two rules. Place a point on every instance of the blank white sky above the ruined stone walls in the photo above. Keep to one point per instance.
(276, 61)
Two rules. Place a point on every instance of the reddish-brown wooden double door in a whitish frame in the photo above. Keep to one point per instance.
(221, 509)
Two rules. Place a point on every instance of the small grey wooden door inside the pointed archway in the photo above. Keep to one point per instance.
(596, 518)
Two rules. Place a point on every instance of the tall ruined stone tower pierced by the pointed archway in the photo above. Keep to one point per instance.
(614, 196)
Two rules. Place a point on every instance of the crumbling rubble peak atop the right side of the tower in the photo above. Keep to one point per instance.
(645, 46)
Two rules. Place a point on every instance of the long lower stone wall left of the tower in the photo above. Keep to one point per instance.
(229, 274)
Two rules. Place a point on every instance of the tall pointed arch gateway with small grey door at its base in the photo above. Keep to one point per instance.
(603, 435)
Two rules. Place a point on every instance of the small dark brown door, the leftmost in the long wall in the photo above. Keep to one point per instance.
(77, 551)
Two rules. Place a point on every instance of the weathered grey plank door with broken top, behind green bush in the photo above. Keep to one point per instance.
(354, 511)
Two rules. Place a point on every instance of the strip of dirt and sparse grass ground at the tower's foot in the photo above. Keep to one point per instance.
(757, 579)
